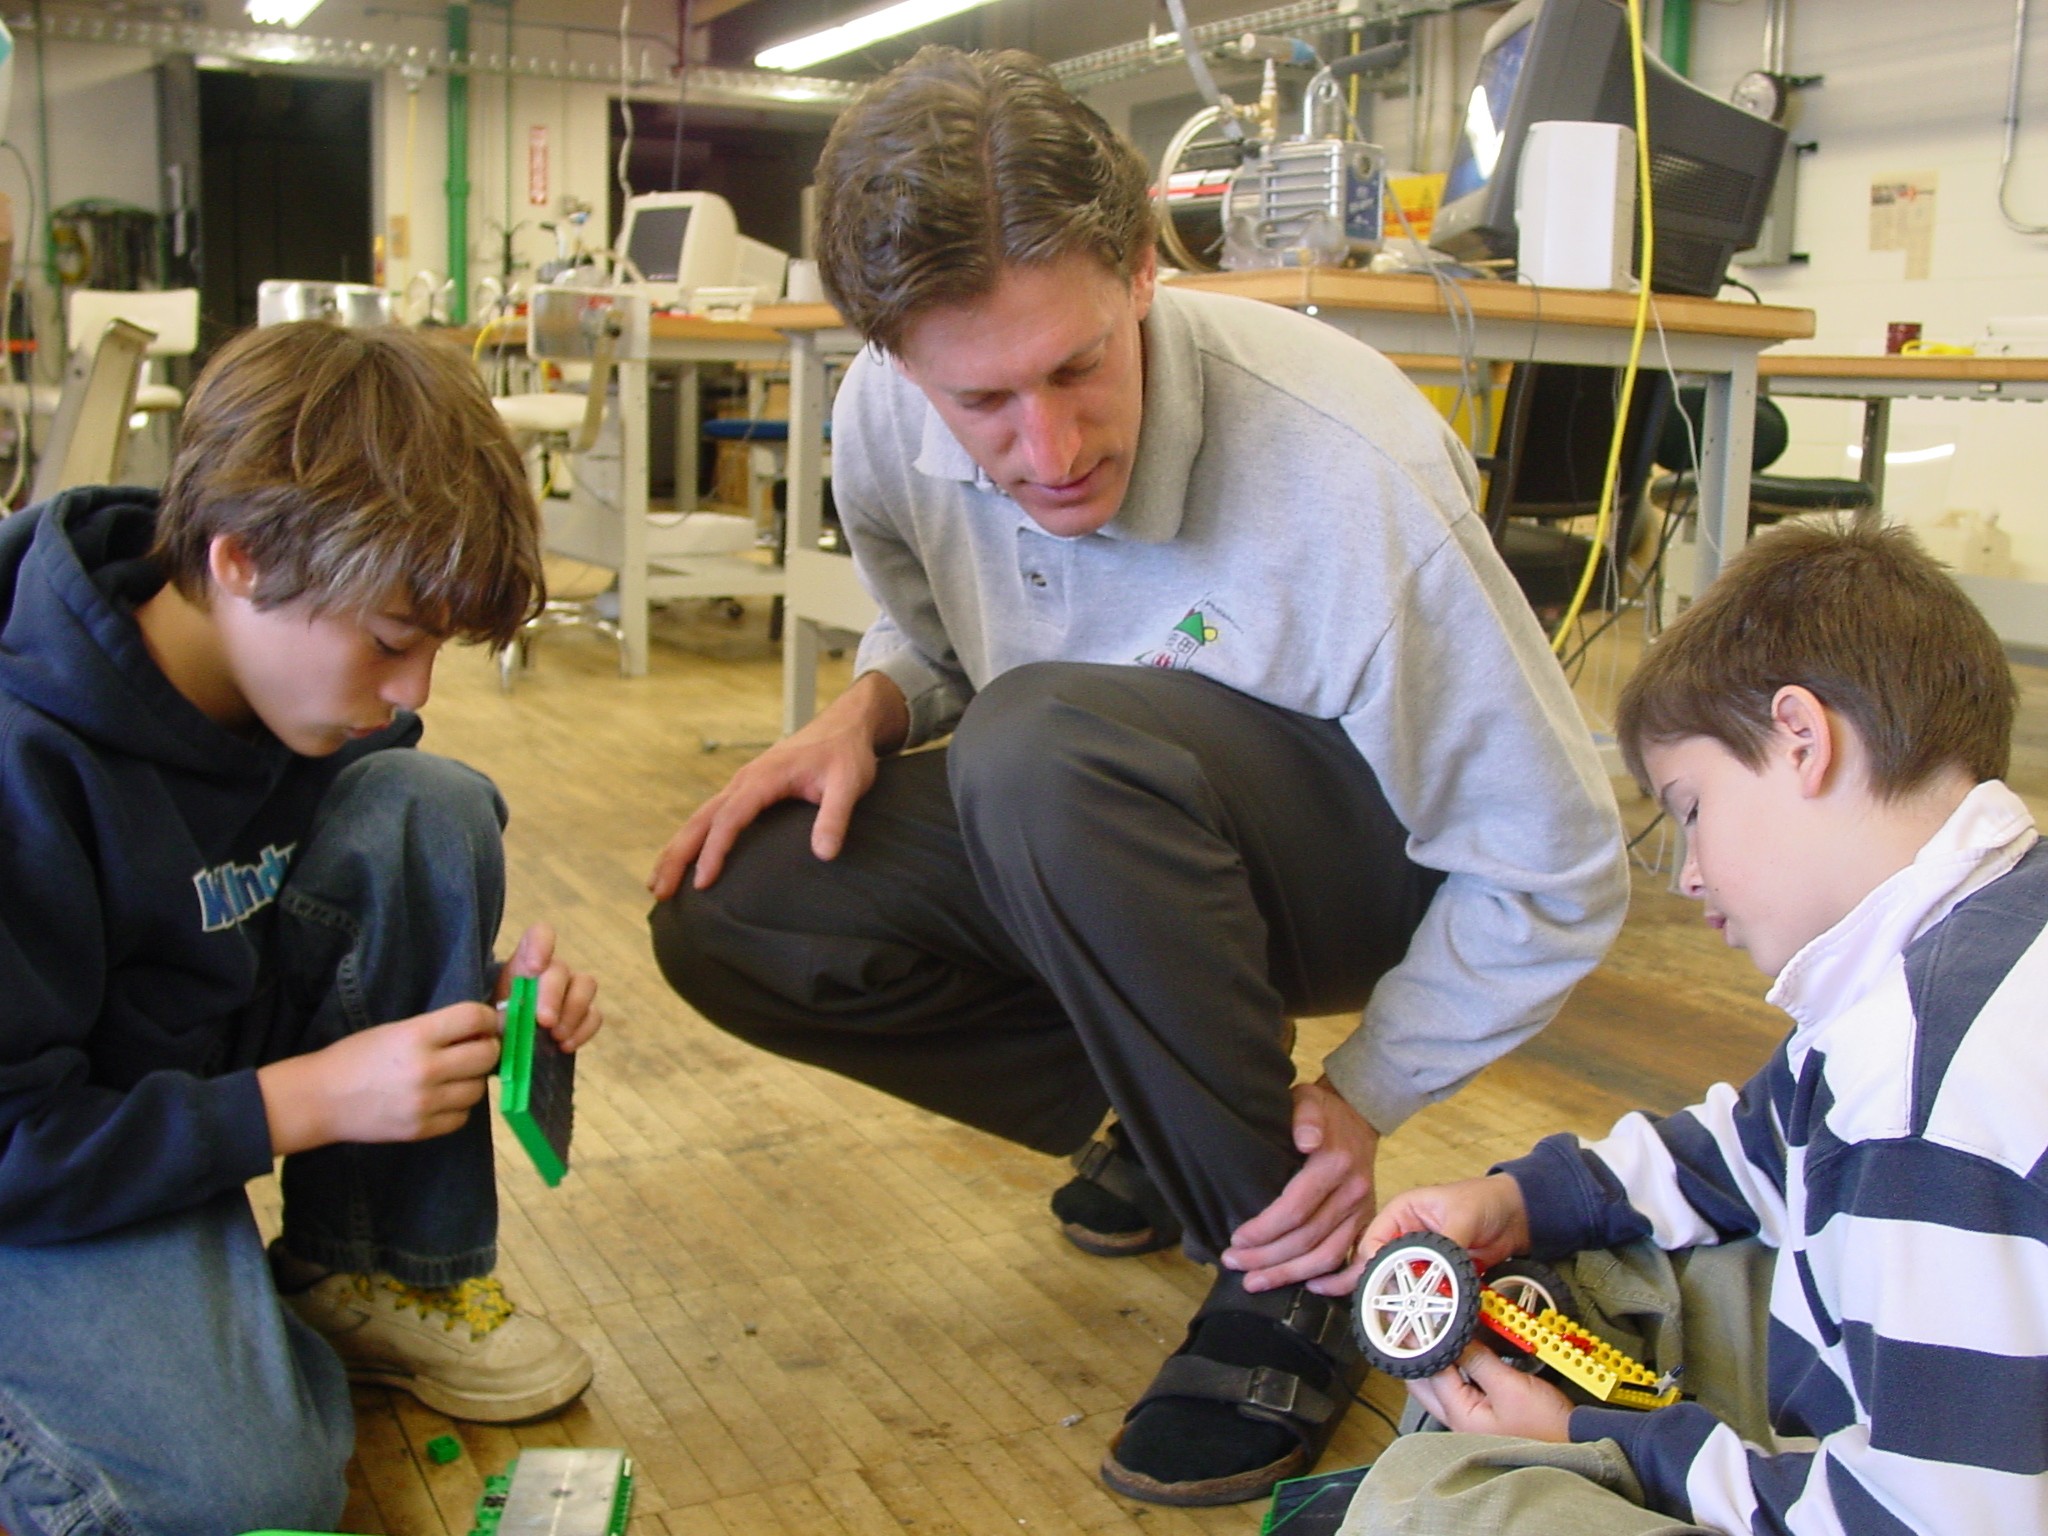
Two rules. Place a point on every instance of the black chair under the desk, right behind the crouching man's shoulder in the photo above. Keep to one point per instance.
(1549, 464)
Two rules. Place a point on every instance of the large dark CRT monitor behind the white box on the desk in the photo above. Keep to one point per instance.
(1713, 165)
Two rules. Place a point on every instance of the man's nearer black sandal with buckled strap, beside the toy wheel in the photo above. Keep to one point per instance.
(1250, 1400)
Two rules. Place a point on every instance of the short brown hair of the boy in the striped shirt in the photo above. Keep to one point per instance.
(1863, 617)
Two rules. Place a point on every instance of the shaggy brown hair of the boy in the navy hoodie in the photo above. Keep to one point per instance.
(355, 468)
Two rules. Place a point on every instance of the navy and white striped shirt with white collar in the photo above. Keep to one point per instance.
(1895, 1154)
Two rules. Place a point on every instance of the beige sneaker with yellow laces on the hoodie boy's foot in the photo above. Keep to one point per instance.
(464, 1351)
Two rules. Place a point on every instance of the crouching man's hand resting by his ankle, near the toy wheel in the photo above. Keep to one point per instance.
(1312, 1230)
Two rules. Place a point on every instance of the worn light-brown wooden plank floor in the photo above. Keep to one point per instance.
(816, 1310)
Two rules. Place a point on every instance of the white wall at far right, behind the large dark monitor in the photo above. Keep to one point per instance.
(1912, 87)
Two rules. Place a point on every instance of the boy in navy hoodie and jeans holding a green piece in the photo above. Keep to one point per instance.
(245, 921)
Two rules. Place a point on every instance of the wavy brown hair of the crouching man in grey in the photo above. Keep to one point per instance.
(959, 165)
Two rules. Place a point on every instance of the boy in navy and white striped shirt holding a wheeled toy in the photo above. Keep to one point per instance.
(1830, 724)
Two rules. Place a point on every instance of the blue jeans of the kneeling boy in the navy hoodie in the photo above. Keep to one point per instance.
(151, 1379)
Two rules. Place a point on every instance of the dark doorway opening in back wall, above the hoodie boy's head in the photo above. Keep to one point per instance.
(284, 189)
